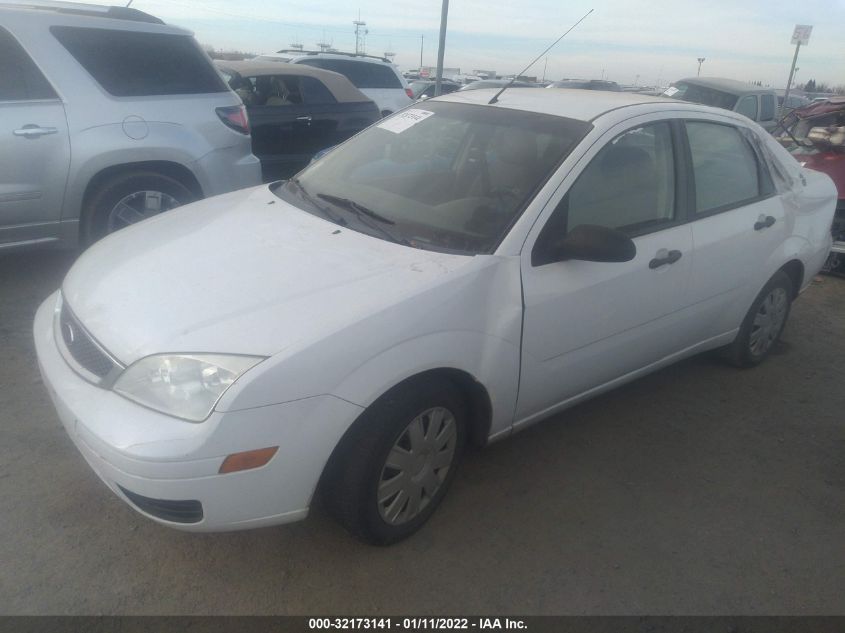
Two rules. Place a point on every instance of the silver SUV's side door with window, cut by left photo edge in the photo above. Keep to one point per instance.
(34, 148)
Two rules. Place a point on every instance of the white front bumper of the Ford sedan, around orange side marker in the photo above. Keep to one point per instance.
(153, 461)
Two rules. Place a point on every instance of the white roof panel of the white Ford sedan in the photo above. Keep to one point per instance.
(584, 105)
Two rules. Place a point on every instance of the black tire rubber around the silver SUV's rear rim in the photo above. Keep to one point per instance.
(104, 199)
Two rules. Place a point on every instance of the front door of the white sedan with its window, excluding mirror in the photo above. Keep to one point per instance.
(589, 323)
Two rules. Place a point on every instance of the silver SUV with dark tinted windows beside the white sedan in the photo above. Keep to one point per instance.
(108, 116)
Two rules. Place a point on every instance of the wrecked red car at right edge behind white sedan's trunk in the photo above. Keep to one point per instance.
(815, 135)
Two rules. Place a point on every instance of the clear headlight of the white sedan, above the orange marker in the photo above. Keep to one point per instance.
(183, 385)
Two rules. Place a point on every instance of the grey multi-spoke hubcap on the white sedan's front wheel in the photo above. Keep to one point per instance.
(417, 465)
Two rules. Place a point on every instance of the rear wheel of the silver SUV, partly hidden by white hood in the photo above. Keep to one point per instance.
(103, 213)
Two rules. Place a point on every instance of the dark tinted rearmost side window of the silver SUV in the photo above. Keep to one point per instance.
(134, 64)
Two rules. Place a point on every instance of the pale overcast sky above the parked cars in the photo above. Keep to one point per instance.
(626, 40)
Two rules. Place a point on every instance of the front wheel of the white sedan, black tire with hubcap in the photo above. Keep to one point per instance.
(377, 457)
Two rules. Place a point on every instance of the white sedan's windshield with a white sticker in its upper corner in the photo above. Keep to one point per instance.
(449, 177)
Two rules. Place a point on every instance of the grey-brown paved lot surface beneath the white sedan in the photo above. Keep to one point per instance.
(700, 489)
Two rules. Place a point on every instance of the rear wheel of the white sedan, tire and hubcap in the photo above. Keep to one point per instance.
(763, 324)
